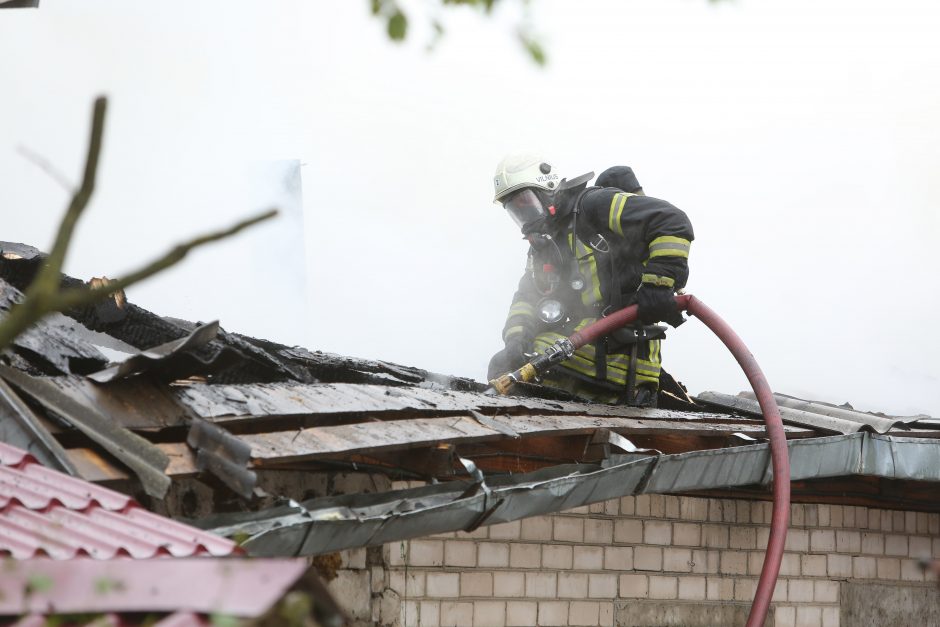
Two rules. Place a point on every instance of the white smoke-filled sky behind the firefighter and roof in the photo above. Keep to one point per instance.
(800, 136)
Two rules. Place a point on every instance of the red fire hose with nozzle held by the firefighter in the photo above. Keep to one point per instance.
(778, 443)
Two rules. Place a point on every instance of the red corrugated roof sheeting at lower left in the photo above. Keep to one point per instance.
(45, 512)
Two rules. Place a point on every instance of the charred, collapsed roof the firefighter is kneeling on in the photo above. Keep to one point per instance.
(186, 399)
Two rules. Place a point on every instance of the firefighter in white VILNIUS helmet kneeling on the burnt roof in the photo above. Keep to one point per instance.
(593, 250)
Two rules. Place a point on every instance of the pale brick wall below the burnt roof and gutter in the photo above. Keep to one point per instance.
(595, 565)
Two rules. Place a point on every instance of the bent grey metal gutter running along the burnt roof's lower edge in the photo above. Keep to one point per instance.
(335, 523)
